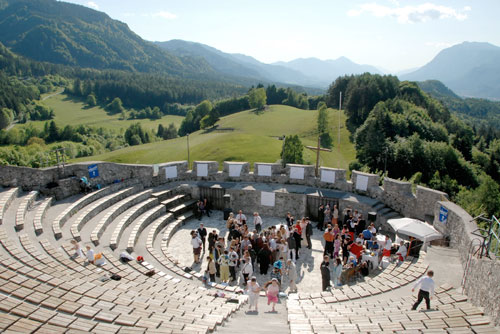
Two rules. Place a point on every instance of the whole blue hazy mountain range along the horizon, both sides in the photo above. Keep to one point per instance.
(64, 33)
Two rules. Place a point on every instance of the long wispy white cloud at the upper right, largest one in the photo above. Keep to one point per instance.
(412, 14)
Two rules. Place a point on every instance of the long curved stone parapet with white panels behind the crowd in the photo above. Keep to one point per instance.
(62, 183)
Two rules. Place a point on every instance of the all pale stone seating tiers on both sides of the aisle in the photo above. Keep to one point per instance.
(46, 288)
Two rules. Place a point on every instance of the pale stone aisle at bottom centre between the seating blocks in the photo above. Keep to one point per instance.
(263, 322)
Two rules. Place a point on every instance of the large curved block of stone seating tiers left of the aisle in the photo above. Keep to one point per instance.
(45, 288)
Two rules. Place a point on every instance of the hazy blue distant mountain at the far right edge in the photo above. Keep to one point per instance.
(471, 69)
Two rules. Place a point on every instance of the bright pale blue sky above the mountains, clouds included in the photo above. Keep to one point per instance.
(390, 34)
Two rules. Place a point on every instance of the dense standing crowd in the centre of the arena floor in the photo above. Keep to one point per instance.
(245, 251)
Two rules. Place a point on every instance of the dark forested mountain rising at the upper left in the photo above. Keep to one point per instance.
(69, 34)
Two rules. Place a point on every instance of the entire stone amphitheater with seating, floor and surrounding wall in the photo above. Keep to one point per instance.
(146, 210)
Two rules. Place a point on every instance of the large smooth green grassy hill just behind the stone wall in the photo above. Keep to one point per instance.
(244, 136)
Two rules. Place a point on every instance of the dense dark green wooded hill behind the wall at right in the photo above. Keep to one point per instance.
(402, 132)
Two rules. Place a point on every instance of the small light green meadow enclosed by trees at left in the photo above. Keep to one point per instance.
(70, 111)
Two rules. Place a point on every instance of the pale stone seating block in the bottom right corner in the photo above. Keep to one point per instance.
(450, 313)
